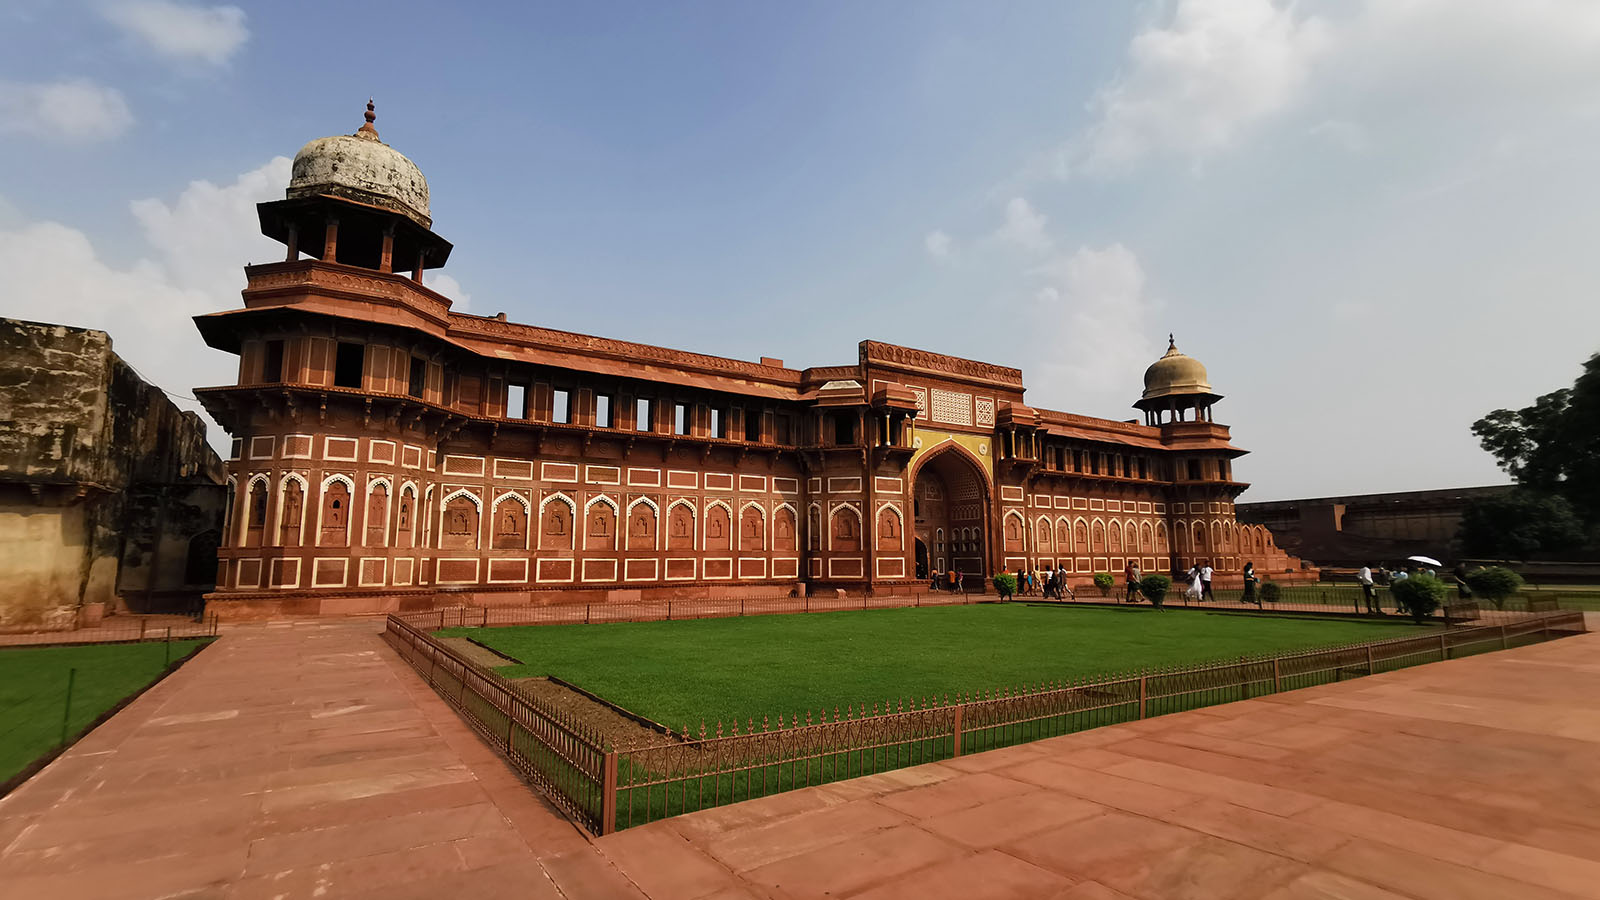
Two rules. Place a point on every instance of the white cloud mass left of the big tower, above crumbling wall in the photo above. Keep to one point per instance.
(198, 247)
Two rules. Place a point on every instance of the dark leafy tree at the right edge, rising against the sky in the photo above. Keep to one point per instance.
(1553, 446)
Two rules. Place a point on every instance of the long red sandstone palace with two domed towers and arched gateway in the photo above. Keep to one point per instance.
(394, 454)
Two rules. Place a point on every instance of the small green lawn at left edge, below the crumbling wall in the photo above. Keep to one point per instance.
(34, 691)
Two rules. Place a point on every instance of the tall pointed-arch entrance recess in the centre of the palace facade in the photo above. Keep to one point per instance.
(950, 500)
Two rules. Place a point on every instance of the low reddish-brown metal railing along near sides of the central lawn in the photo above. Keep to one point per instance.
(604, 787)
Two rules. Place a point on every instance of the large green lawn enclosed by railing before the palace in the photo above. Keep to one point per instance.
(689, 672)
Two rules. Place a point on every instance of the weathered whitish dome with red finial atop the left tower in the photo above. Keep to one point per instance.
(364, 169)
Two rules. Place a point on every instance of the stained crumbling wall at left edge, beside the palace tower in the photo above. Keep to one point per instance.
(97, 468)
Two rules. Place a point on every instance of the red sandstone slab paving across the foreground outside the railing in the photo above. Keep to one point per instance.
(308, 761)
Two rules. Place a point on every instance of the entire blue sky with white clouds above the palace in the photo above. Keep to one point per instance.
(1370, 220)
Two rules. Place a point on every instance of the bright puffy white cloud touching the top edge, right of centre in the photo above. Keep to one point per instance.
(1194, 86)
